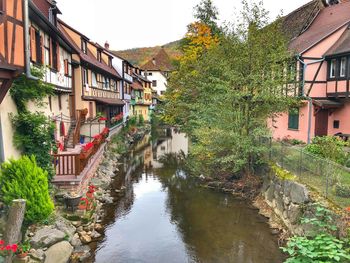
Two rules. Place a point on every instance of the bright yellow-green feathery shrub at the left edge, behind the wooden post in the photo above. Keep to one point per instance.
(24, 179)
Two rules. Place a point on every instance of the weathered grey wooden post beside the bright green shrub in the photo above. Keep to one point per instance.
(14, 225)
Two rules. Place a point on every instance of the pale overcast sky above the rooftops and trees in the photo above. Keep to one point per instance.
(142, 23)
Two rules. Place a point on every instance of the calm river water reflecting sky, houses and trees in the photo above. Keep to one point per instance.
(166, 217)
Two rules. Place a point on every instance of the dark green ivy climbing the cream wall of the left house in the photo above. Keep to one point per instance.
(34, 132)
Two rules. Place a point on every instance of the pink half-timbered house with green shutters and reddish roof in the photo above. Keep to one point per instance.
(320, 39)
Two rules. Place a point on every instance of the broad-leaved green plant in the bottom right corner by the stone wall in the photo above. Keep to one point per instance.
(321, 246)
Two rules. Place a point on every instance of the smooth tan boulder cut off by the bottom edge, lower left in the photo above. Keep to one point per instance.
(59, 253)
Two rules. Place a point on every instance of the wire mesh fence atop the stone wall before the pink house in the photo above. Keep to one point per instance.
(326, 177)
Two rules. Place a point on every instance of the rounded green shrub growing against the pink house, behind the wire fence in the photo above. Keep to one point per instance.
(328, 147)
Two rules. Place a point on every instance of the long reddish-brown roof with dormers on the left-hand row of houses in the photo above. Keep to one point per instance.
(89, 57)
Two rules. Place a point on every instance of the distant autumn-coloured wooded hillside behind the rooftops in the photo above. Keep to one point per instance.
(139, 56)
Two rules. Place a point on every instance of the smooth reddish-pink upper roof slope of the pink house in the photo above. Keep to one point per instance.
(328, 20)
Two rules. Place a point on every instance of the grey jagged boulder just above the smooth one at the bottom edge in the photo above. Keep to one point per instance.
(46, 237)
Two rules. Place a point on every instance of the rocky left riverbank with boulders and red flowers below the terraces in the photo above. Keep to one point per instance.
(66, 235)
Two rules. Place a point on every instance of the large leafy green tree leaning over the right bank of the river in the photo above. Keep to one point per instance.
(223, 96)
